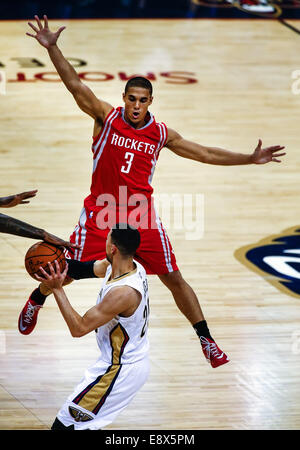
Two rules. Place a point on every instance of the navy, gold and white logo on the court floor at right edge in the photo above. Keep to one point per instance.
(277, 259)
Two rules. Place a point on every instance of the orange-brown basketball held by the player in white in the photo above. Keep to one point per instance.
(40, 254)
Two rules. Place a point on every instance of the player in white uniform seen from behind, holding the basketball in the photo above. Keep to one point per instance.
(120, 319)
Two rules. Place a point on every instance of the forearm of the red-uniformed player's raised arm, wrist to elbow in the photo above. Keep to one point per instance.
(65, 70)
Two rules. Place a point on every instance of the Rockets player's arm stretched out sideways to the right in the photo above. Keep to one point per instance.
(219, 156)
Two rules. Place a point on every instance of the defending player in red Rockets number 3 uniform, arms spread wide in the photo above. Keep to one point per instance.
(126, 145)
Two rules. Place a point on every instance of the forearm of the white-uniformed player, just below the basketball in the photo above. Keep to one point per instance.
(71, 317)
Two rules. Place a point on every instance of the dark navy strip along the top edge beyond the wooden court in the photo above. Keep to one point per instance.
(19, 9)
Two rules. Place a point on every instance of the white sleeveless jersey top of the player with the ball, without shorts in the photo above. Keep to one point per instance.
(124, 340)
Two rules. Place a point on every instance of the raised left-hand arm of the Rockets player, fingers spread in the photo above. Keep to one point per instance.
(84, 97)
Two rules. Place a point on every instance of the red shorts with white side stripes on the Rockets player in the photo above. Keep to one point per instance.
(155, 252)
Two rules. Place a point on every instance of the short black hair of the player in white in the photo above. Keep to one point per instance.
(126, 238)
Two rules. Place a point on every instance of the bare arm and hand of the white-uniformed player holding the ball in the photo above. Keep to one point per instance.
(119, 300)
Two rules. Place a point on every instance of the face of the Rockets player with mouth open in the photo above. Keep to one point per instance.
(137, 101)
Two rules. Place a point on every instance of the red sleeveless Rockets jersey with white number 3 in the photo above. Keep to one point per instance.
(125, 157)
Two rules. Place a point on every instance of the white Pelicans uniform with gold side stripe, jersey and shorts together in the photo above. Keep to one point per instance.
(123, 367)
